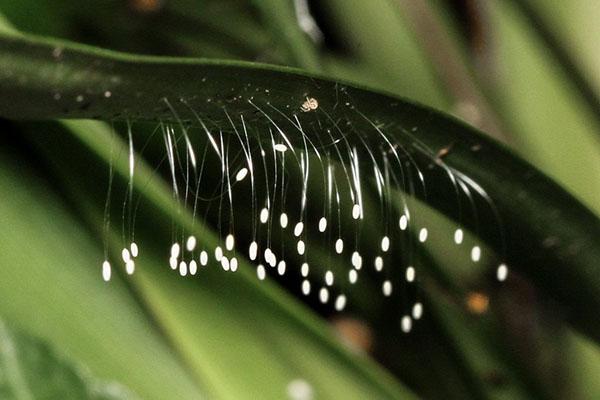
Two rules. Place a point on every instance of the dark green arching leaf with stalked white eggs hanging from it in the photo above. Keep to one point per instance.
(550, 237)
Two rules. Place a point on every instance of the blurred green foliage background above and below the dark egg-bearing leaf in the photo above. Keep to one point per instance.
(525, 72)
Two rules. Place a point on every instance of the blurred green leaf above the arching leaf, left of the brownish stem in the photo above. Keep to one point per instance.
(381, 50)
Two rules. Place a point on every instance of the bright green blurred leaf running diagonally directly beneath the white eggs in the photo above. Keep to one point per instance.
(217, 322)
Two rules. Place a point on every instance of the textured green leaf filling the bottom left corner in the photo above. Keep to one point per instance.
(31, 370)
